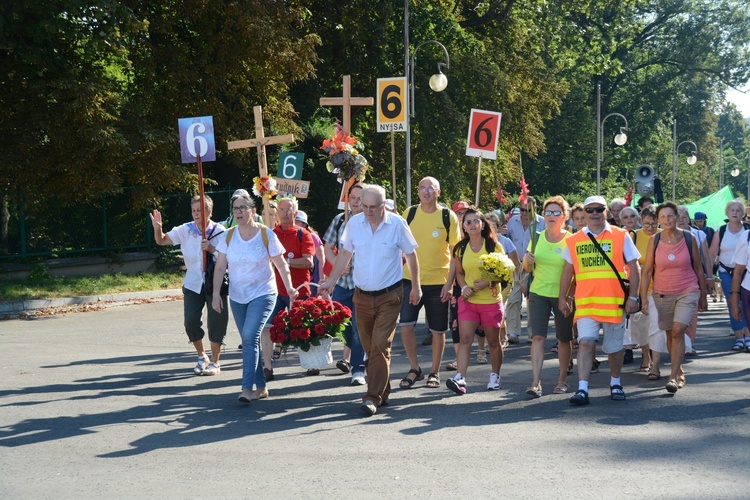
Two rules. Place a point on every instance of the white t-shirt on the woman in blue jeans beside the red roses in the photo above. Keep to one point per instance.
(250, 273)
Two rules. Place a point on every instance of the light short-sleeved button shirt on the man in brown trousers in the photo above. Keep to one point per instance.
(379, 253)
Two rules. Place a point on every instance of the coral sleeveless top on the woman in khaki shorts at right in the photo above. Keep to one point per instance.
(673, 276)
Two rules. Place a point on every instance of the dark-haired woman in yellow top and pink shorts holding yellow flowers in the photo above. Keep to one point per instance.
(480, 301)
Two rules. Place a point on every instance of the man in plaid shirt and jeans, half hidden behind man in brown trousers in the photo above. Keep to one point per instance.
(343, 292)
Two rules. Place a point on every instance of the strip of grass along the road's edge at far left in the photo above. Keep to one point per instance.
(45, 287)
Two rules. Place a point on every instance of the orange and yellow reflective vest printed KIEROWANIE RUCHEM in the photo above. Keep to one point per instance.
(598, 292)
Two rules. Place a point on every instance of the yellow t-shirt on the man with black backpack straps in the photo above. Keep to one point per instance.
(433, 252)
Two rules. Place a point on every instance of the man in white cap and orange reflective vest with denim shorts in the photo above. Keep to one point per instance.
(599, 301)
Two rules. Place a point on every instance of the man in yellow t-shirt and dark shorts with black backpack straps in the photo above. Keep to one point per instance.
(436, 230)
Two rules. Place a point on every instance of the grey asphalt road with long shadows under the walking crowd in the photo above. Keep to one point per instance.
(104, 403)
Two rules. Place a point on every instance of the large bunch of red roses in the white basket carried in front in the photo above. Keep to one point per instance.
(310, 321)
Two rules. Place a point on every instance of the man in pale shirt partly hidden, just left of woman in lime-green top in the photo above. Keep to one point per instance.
(519, 232)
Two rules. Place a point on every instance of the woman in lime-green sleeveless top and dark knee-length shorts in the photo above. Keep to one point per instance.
(547, 264)
